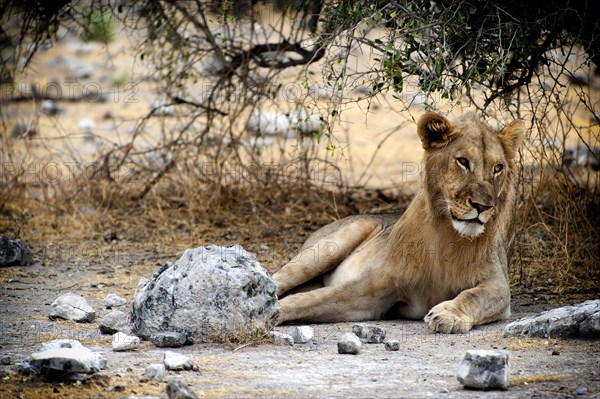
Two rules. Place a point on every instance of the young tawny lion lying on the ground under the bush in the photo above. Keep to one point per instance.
(443, 260)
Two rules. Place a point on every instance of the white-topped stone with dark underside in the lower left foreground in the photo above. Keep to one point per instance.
(65, 359)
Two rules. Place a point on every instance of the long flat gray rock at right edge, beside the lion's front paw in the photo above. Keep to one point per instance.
(564, 322)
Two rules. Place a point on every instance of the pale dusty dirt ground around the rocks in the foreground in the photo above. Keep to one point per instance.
(425, 366)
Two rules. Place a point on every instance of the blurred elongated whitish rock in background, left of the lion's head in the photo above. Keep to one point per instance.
(287, 124)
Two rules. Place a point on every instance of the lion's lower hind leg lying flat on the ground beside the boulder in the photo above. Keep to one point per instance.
(328, 304)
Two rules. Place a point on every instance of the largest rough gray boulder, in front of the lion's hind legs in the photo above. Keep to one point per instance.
(209, 293)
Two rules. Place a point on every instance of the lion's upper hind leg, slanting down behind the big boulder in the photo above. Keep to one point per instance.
(324, 255)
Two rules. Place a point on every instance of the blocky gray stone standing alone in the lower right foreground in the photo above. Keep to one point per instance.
(484, 369)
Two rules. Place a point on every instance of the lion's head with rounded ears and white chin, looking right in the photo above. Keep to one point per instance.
(468, 168)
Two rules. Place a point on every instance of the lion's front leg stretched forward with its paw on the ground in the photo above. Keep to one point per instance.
(488, 302)
